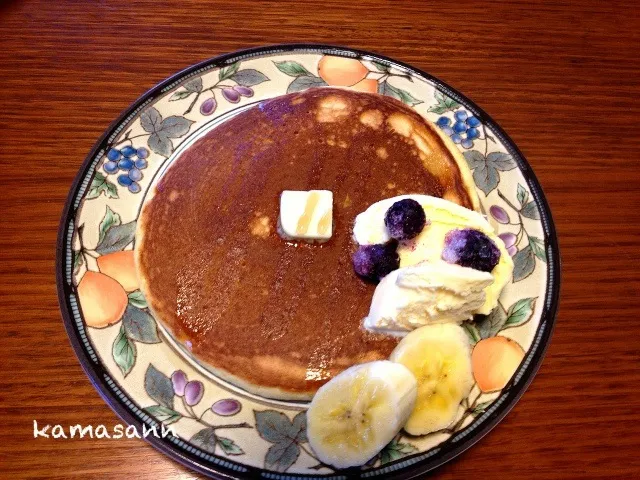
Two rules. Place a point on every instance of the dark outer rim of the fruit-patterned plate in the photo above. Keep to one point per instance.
(95, 371)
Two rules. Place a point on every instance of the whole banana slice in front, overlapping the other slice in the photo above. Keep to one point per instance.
(358, 412)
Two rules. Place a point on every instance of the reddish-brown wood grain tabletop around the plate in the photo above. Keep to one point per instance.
(563, 79)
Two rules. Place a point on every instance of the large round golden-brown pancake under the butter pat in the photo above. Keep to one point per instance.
(275, 317)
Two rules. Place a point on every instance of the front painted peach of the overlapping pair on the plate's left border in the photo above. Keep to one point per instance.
(102, 299)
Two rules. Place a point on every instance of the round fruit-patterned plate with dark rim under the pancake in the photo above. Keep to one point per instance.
(218, 429)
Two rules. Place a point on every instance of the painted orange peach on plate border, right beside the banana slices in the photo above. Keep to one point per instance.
(494, 362)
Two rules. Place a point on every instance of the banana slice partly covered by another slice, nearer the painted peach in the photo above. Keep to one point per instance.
(440, 358)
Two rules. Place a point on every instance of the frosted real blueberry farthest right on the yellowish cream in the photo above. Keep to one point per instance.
(470, 248)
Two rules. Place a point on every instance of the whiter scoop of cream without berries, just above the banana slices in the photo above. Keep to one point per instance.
(426, 293)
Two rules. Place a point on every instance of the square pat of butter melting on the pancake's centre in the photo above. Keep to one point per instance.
(306, 215)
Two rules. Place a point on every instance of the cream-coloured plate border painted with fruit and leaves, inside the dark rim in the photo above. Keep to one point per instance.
(200, 410)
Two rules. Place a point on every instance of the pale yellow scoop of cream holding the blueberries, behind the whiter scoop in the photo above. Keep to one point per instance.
(442, 216)
